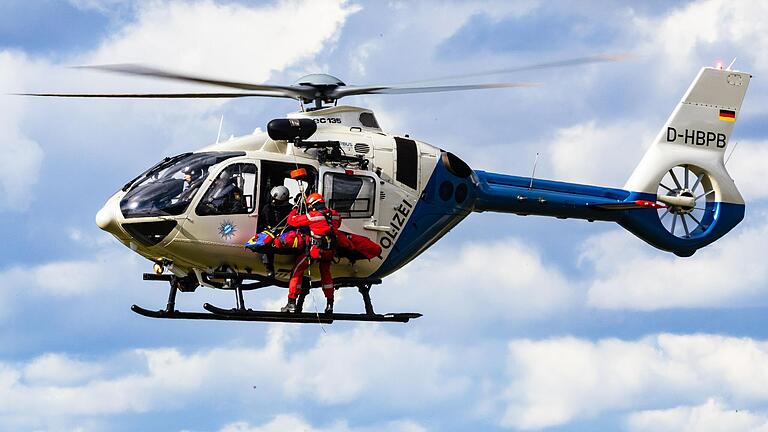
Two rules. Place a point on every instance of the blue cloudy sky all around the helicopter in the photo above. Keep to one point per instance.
(530, 323)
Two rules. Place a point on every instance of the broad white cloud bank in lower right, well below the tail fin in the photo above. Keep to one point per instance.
(556, 381)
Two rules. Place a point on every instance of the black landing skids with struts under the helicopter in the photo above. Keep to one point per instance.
(241, 313)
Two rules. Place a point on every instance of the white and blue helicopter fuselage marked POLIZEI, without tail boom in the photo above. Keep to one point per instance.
(406, 196)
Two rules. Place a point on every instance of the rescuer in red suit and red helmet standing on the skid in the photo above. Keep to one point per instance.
(323, 225)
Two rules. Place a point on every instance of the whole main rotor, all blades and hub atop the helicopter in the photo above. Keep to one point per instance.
(317, 88)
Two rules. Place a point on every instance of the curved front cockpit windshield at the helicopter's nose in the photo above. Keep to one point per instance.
(167, 188)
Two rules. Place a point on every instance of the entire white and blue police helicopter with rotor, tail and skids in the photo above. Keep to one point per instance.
(399, 192)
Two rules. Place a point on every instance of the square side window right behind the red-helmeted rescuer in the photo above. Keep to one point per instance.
(352, 196)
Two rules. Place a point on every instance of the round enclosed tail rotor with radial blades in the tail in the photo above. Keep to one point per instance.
(685, 190)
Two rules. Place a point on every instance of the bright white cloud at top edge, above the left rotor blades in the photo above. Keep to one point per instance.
(203, 37)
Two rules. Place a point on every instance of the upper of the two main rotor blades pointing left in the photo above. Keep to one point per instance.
(141, 70)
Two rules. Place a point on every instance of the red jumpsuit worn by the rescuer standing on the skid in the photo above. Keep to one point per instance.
(318, 227)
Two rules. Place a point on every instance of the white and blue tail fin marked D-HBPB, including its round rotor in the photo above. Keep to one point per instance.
(684, 170)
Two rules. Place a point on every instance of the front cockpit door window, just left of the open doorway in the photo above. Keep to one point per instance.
(232, 192)
